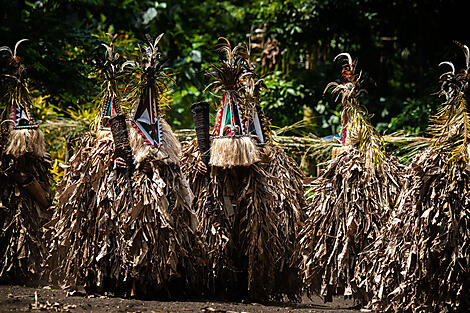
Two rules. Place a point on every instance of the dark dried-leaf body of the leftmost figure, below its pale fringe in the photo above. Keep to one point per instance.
(21, 218)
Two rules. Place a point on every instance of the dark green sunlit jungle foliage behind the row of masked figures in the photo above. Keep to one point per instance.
(399, 45)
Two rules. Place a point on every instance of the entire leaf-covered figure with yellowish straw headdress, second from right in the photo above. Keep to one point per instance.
(350, 200)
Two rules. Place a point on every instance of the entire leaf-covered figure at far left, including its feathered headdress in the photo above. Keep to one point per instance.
(24, 181)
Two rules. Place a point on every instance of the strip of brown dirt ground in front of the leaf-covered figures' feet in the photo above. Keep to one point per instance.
(24, 299)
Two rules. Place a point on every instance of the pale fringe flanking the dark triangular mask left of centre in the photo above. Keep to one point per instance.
(169, 151)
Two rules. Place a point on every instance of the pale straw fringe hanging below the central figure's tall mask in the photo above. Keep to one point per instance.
(228, 152)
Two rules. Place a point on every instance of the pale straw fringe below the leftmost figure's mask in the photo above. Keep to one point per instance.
(23, 141)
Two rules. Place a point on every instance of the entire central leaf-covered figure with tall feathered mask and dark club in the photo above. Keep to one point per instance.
(249, 202)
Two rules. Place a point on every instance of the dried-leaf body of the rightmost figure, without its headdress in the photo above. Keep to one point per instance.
(421, 262)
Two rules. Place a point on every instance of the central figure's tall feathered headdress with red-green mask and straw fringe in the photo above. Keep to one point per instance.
(237, 120)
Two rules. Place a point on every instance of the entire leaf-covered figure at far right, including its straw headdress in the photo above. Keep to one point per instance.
(421, 261)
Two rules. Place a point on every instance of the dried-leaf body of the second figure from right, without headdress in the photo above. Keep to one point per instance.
(347, 207)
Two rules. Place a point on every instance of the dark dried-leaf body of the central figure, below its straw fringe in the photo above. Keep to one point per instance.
(249, 223)
